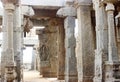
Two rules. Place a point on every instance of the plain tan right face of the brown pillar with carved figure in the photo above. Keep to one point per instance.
(52, 30)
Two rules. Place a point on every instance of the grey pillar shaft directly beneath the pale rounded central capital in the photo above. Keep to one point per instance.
(70, 44)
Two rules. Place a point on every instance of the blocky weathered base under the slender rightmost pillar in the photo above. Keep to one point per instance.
(112, 71)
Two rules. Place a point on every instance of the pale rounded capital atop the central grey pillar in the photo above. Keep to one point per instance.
(67, 11)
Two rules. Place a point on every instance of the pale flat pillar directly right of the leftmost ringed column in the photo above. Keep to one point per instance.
(18, 40)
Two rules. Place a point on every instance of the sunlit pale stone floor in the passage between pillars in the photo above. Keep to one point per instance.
(33, 76)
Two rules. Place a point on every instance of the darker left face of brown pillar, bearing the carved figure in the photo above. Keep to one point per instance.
(43, 52)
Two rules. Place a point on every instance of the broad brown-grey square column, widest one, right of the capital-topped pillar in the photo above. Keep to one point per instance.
(85, 42)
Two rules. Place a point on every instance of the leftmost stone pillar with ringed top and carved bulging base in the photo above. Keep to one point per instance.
(8, 67)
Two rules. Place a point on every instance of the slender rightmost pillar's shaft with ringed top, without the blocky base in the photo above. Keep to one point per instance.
(113, 56)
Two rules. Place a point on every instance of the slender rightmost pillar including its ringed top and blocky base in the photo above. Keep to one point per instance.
(112, 65)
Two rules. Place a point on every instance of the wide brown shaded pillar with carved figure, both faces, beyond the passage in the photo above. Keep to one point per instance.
(48, 42)
